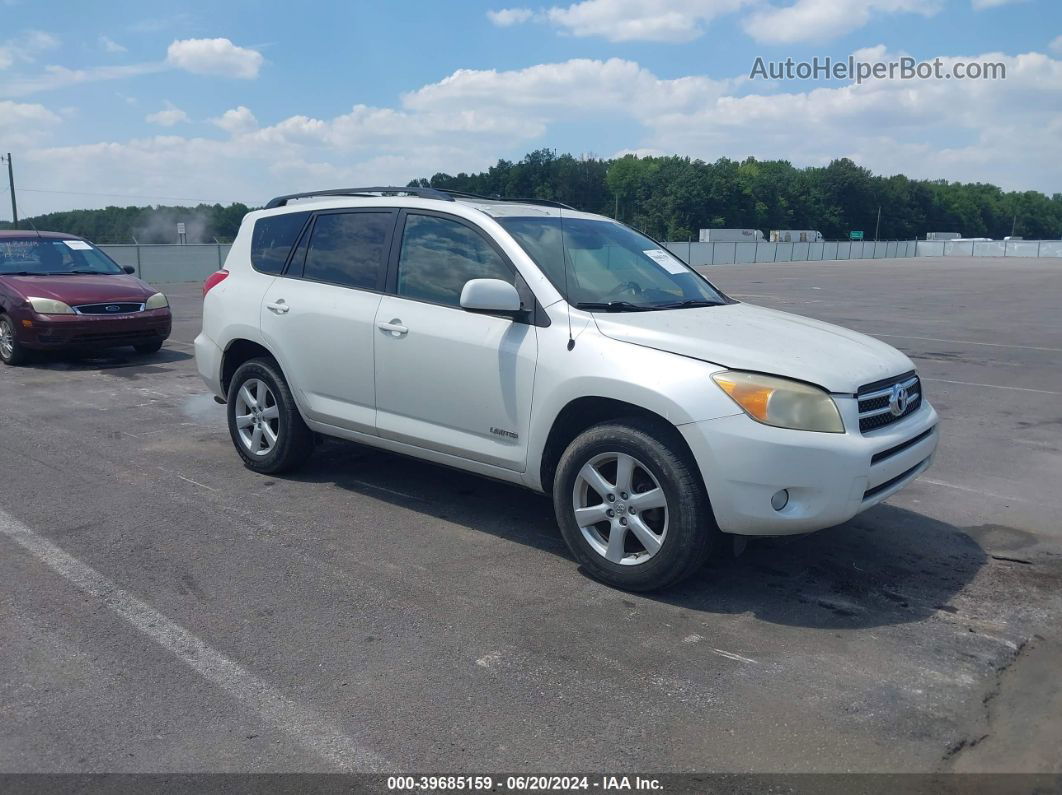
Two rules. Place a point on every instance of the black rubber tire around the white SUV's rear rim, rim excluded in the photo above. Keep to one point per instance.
(295, 441)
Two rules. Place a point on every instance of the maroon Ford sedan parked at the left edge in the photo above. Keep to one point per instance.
(59, 291)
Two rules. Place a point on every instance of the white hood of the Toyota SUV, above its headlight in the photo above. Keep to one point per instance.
(746, 337)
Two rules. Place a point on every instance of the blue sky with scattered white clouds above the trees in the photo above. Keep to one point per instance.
(140, 102)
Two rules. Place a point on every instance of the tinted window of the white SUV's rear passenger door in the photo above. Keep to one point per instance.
(349, 249)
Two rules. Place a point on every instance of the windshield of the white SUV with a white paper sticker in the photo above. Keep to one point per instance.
(611, 267)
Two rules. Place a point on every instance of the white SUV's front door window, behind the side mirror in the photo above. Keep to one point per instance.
(439, 256)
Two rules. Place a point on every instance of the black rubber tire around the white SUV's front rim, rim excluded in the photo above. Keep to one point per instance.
(692, 528)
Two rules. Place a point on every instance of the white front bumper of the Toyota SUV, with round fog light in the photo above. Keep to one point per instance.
(831, 477)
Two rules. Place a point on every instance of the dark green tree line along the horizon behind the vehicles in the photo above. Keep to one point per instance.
(670, 198)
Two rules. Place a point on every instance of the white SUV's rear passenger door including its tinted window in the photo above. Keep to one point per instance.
(320, 315)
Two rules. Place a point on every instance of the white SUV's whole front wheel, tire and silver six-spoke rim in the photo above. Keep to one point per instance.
(632, 507)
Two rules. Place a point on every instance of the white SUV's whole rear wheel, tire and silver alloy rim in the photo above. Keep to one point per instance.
(264, 422)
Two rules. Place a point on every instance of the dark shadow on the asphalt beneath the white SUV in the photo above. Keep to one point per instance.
(887, 566)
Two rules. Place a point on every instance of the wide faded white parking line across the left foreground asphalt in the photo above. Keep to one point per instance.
(304, 725)
